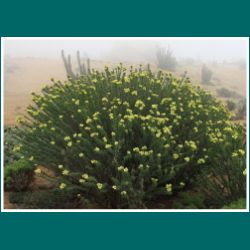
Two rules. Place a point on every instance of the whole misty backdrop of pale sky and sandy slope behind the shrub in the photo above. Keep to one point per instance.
(218, 65)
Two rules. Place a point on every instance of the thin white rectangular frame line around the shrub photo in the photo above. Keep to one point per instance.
(3, 39)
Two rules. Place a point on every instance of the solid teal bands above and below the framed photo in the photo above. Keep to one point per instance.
(124, 230)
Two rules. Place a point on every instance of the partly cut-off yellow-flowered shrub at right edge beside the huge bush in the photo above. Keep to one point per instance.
(224, 181)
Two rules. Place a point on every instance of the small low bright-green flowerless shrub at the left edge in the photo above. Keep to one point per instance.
(18, 176)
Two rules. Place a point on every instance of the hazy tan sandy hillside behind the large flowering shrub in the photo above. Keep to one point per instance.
(25, 75)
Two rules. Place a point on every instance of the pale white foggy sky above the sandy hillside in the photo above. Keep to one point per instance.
(128, 50)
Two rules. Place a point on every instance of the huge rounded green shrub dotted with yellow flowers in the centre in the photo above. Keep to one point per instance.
(123, 138)
